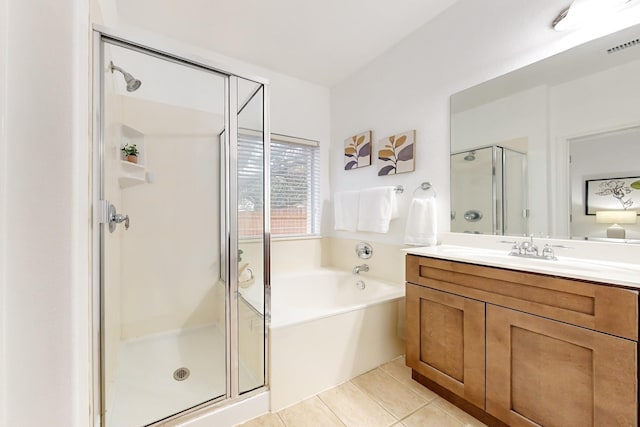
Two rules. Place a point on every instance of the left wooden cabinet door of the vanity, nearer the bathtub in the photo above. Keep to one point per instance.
(445, 340)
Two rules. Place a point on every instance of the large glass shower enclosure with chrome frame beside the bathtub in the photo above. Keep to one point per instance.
(180, 308)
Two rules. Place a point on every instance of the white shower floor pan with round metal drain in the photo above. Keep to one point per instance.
(144, 389)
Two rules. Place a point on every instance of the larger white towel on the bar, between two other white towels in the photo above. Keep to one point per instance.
(377, 208)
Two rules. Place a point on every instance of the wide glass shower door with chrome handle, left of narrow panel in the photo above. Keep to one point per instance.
(164, 305)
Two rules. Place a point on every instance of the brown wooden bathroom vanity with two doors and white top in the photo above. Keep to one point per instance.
(522, 348)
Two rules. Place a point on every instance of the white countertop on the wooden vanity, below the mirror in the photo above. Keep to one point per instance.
(616, 273)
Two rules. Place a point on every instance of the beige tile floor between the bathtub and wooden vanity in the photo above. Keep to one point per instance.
(385, 396)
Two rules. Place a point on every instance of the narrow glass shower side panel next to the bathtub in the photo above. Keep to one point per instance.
(251, 213)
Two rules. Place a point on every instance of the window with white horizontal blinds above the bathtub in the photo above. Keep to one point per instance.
(295, 186)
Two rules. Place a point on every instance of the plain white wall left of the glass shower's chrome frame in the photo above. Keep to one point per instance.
(45, 164)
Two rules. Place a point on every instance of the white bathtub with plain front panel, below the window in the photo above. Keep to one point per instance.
(325, 330)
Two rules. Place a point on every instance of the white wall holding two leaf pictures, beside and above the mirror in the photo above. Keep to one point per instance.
(408, 87)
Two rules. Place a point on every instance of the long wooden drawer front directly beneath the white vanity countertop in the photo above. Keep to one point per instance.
(596, 306)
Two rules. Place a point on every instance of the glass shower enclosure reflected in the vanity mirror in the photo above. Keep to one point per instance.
(488, 191)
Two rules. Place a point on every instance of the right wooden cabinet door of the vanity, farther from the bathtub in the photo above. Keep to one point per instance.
(544, 372)
